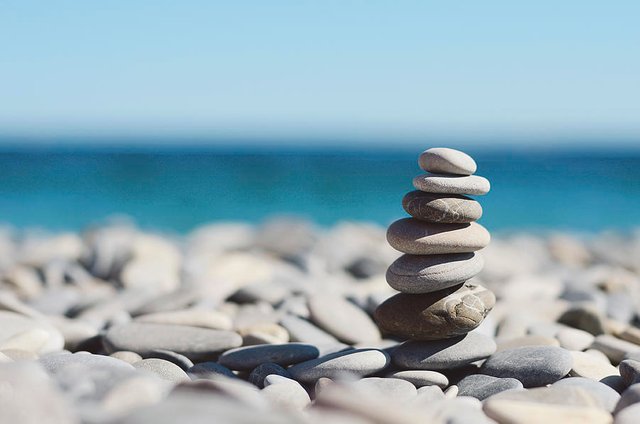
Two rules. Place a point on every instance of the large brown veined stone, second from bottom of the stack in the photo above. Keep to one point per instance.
(432, 316)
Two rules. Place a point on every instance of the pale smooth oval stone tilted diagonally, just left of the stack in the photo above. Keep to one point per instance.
(332, 312)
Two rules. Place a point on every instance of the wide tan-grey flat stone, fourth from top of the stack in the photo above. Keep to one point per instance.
(409, 235)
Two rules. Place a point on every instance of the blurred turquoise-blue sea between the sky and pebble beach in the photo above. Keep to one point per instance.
(177, 190)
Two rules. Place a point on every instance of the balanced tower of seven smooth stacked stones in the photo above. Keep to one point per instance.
(437, 303)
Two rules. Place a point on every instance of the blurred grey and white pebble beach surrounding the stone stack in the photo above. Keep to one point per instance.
(274, 323)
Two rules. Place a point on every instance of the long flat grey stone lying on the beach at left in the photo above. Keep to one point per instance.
(193, 342)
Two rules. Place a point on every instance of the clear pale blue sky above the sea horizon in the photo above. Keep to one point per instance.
(345, 68)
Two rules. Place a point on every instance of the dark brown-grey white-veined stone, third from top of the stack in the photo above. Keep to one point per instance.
(443, 208)
